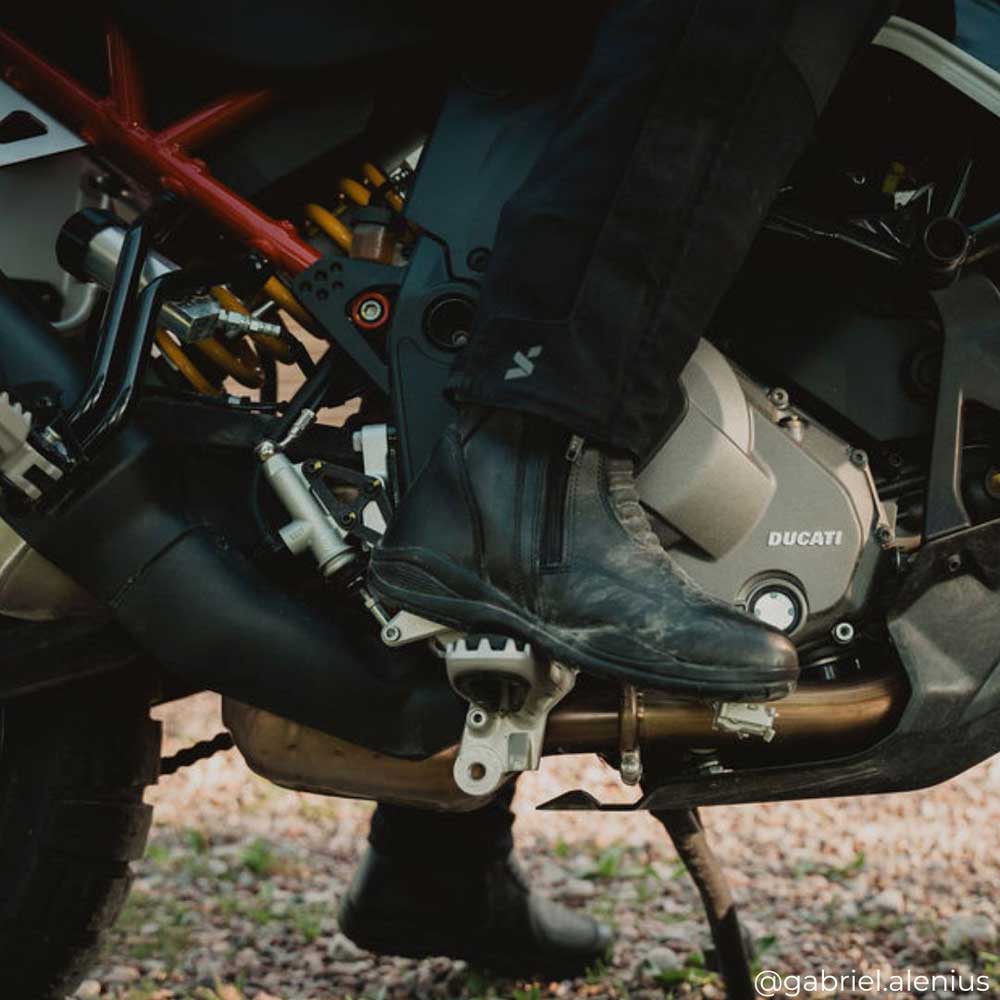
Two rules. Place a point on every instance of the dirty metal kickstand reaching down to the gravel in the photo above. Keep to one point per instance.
(688, 835)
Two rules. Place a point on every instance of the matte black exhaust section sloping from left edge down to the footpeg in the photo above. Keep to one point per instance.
(196, 605)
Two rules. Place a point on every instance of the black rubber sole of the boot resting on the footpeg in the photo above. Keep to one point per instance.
(411, 585)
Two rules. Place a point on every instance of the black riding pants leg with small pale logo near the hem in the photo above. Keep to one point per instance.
(611, 258)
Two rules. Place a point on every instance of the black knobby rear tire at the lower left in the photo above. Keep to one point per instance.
(73, 767)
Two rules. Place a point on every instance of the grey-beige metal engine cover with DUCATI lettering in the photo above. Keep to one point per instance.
(772, 512)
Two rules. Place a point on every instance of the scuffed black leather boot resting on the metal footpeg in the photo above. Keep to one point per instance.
(515, 528)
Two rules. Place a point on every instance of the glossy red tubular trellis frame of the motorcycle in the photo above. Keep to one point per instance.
(118, 125)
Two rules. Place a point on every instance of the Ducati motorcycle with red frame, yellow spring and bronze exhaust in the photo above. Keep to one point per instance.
(172, 519)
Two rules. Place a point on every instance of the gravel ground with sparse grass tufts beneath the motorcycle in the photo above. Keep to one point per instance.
(236, 897)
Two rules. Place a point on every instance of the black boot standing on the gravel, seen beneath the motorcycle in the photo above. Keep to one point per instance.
(484, 914)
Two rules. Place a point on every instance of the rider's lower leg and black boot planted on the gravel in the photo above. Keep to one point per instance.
(442, 883)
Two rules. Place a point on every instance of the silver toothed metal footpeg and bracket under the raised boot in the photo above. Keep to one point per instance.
(511, 692)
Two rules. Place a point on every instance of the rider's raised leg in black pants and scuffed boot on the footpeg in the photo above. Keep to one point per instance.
(608, 264)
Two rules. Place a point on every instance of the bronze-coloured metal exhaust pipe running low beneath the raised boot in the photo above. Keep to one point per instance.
(818, 718)
